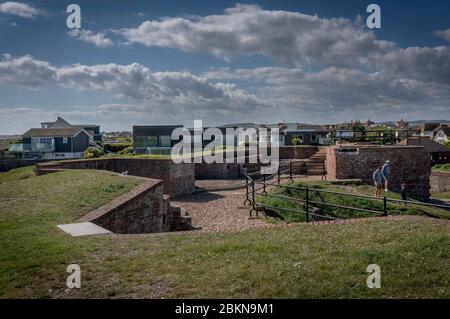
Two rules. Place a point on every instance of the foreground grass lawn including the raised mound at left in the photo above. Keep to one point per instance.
(292, 262)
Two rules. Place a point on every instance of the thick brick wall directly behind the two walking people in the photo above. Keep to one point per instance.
(410, 165)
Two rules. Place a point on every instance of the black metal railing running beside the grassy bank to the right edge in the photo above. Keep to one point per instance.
(258, 187)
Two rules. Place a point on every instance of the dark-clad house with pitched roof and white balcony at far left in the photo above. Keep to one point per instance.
(52, 143)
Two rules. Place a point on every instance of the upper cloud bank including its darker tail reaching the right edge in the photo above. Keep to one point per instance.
(292, 39)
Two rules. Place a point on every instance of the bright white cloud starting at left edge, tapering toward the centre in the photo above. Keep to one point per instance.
(133, 81)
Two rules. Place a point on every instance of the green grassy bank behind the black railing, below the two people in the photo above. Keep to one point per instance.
(340, 213)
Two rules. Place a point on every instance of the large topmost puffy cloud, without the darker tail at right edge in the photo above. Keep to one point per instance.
(289, 37)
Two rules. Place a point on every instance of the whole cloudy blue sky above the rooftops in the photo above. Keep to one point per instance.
(170, 62)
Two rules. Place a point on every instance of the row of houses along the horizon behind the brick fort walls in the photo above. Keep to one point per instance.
(63, 140)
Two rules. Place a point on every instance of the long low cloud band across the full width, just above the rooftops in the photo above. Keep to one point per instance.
(271, 93)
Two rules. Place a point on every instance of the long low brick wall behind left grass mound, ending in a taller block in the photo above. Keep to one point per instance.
(178, 179)
